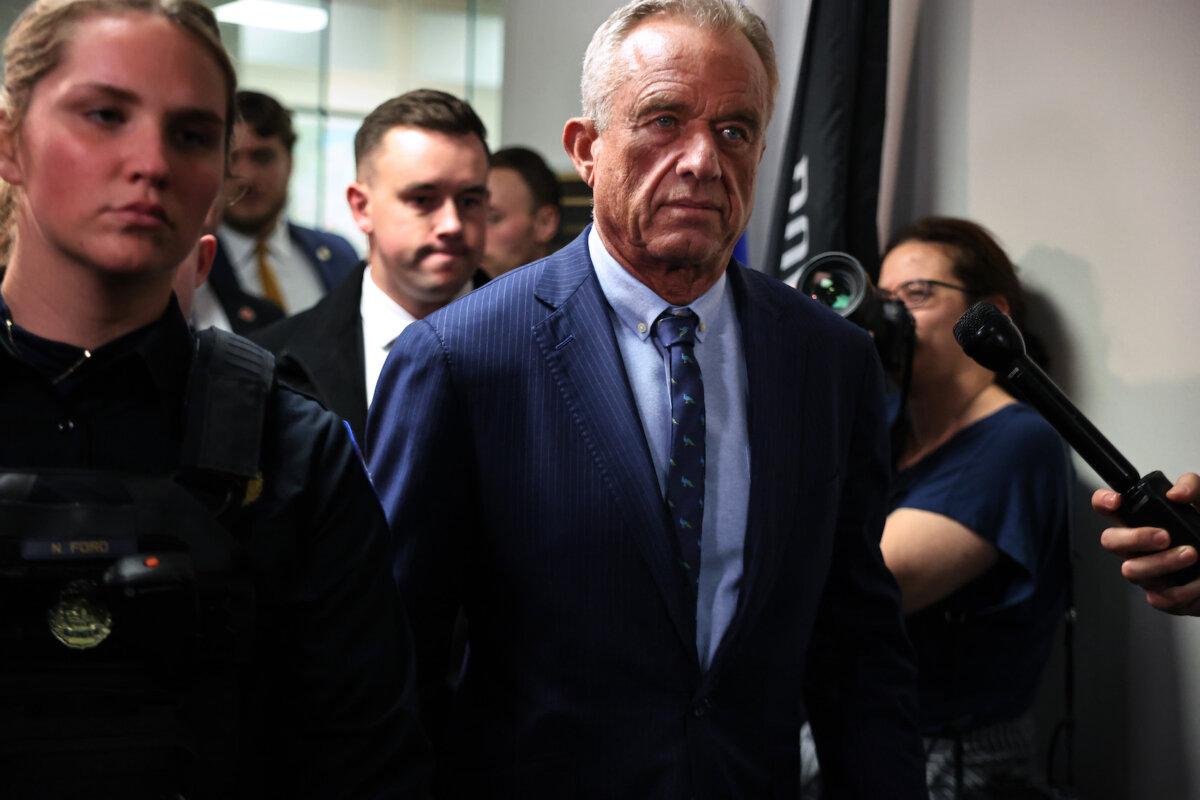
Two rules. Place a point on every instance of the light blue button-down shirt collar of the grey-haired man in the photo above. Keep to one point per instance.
(637, 305)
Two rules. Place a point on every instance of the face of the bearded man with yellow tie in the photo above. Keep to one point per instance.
(262, 167)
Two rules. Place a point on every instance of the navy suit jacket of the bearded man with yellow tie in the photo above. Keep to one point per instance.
(332, 257)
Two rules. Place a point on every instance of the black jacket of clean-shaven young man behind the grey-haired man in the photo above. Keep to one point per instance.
(320, 352)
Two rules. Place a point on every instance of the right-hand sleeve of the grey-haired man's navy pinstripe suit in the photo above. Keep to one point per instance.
(861, 679)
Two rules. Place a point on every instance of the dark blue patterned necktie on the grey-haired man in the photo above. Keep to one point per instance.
(676, 330)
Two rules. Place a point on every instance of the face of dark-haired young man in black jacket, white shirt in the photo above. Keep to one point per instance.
(423, 202)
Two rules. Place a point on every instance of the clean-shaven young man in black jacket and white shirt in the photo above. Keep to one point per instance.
(421, 196)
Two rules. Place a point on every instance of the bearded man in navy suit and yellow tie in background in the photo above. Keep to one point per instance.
(261, 255)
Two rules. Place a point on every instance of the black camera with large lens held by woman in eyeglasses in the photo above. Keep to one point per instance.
(839, 281)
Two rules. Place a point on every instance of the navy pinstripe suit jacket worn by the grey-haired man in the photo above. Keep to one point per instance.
(509, 455)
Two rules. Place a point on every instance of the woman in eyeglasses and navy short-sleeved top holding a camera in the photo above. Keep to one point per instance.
(977, 536)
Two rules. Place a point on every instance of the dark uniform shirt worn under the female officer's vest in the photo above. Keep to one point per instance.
(326, 702)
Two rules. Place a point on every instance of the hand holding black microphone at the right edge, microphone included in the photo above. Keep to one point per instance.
(992, 339)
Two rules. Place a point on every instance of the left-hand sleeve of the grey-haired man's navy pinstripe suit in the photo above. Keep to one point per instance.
(421, 461)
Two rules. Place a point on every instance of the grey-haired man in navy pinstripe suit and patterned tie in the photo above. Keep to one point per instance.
(656, 563)
